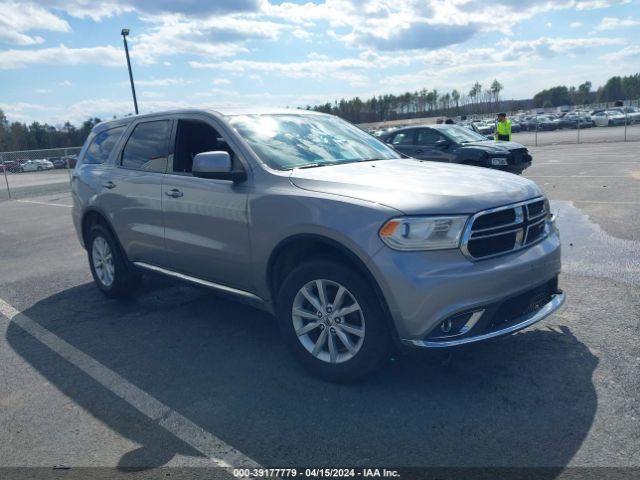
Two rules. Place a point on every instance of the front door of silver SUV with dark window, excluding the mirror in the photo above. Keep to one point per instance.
(206, 220)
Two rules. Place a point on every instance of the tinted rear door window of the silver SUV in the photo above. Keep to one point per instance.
(148, 147)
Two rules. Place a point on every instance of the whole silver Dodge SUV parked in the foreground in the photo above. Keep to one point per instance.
(354, 249)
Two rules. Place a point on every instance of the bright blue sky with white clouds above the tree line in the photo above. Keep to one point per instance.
(65, 61)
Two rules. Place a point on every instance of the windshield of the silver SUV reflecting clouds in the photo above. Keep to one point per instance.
(286, 141)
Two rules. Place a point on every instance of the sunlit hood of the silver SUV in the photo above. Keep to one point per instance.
(418, 187)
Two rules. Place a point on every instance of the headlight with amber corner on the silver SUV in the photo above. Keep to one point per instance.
(423, 233)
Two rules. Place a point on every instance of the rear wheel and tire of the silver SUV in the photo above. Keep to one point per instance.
(111, 271)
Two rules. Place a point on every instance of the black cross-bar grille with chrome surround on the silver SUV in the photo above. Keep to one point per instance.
(505, 229)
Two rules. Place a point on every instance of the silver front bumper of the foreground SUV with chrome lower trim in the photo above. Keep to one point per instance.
(423, 289)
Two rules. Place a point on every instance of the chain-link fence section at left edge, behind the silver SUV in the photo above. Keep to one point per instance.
(36, 172)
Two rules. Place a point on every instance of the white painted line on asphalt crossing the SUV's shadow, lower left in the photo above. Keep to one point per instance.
(220, 453)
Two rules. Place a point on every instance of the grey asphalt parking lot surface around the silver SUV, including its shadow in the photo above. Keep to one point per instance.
(180, 377)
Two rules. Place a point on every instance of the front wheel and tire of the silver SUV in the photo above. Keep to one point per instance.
(361, 340)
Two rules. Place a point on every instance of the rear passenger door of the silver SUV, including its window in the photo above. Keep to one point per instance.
(132, 191)
